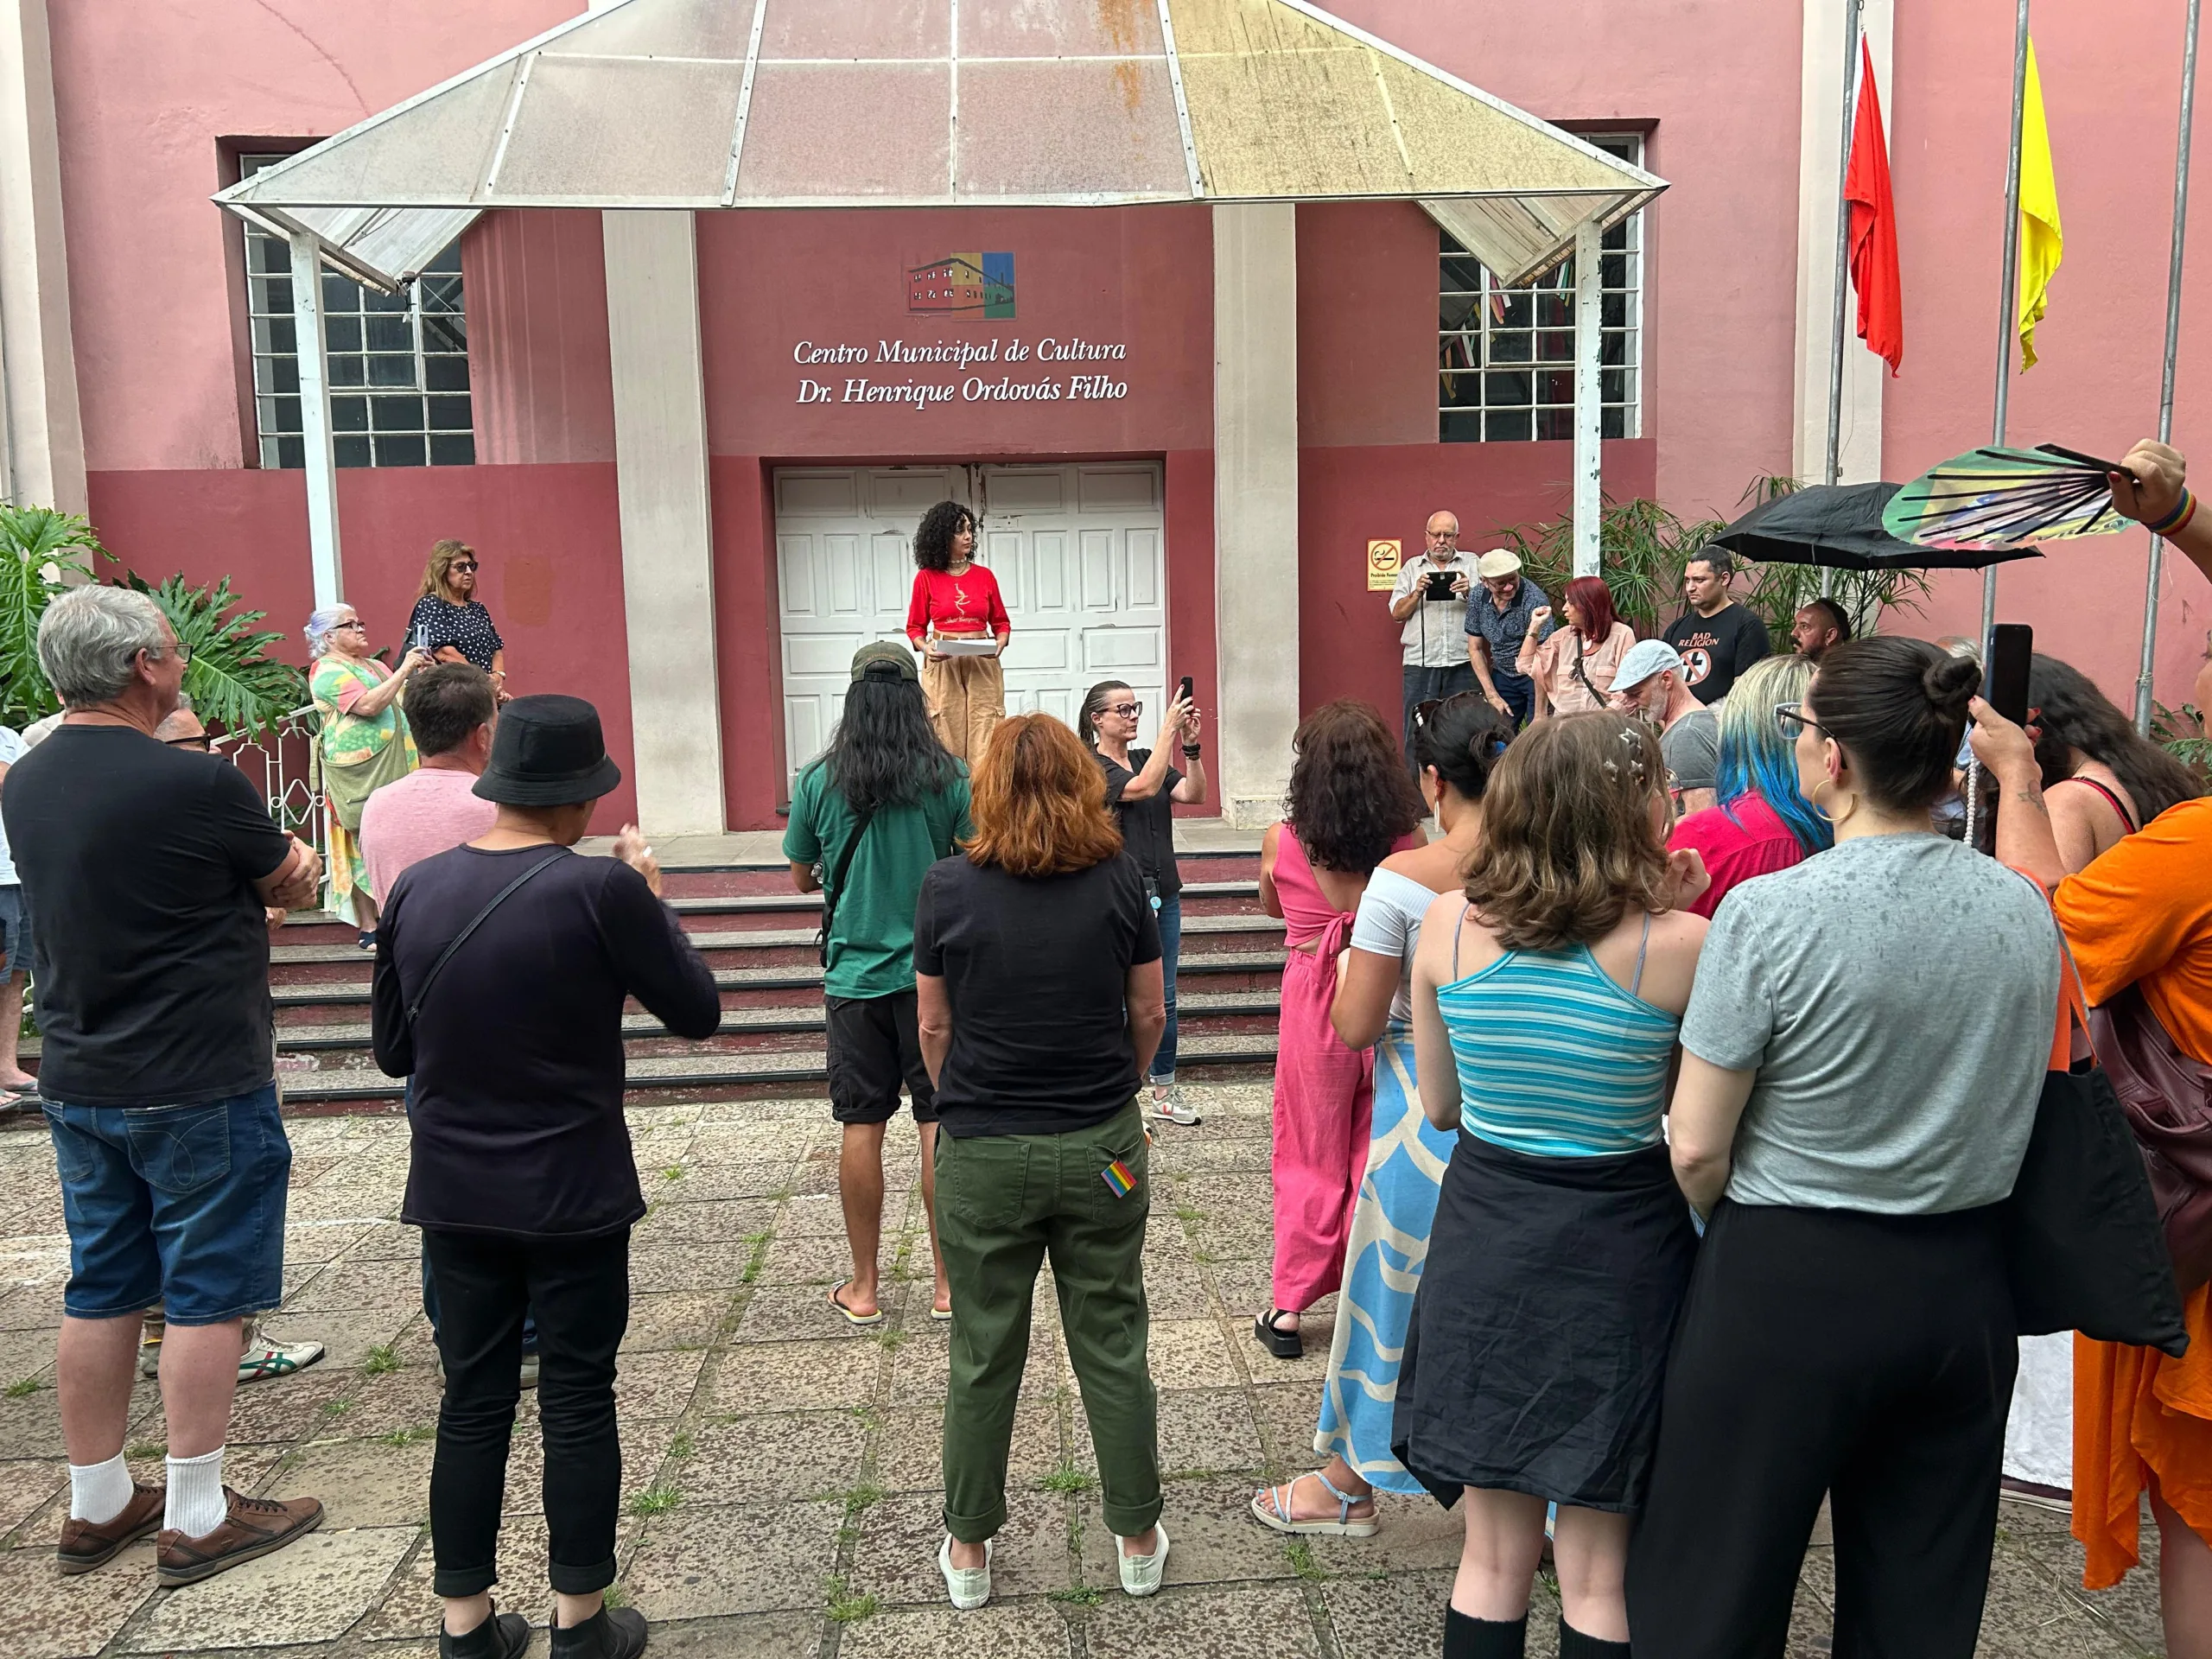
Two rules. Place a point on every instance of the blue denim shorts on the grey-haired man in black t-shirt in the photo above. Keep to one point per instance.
(174, 1204)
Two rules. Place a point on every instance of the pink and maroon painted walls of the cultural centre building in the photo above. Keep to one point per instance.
(132, 337)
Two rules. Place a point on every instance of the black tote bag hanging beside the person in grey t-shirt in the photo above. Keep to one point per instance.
(2083, 1240)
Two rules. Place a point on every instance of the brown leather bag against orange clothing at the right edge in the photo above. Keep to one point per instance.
(2169, 1105)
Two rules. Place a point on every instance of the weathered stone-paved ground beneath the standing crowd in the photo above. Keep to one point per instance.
(782, 1468)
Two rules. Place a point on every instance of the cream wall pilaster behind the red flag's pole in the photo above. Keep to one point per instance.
(1819, 202)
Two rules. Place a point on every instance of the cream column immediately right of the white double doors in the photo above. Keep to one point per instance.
(1255, 505)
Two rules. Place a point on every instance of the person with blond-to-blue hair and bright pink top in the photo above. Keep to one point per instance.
(1762, 820)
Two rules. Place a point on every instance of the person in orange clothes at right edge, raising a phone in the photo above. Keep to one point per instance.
(2140, 915)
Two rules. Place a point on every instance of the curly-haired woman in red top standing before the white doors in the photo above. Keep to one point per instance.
(959, 623)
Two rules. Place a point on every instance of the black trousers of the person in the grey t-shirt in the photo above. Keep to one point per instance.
(1833, 1353)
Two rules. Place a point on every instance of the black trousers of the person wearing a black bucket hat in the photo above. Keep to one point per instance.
(581, 1295)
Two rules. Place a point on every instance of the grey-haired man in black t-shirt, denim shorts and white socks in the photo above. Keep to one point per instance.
(158, 1078)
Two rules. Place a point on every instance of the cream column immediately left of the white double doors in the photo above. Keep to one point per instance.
(667, 528)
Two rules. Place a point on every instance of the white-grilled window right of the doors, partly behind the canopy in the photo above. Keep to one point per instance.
(1507, 355)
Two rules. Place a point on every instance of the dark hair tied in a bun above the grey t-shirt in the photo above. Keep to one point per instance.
(1901, 709)
